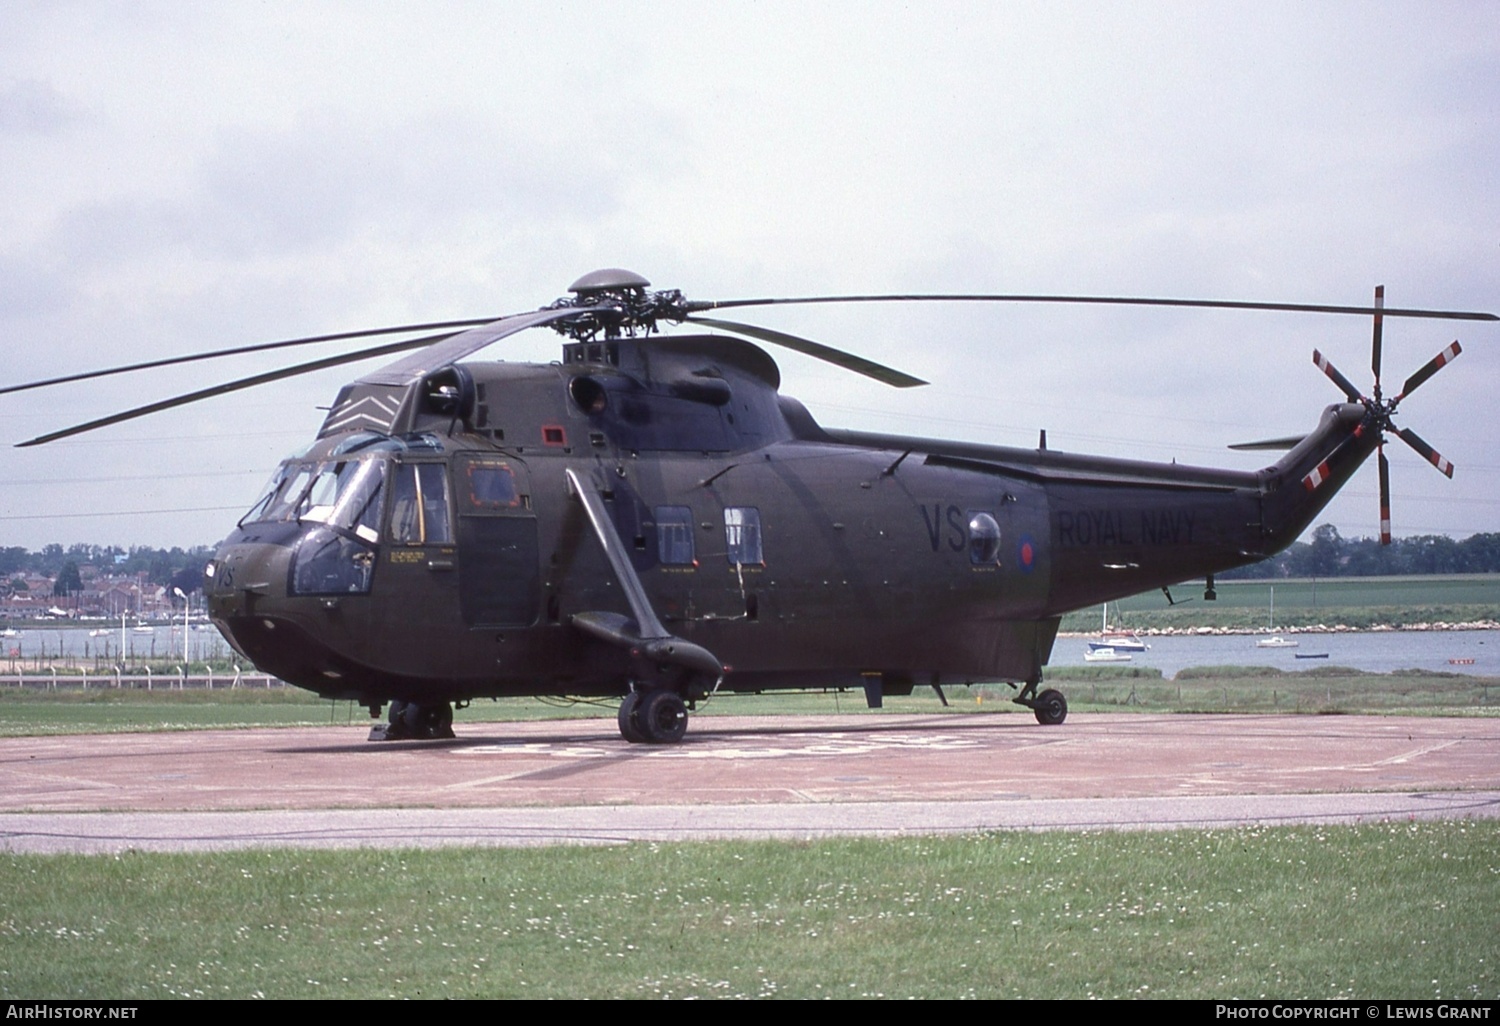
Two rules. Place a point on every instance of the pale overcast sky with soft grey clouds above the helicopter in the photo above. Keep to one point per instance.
(182, 178)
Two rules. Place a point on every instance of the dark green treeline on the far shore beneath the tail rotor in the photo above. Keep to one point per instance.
(1333, 556)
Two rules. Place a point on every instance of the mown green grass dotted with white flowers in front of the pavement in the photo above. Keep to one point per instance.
(1376, 911)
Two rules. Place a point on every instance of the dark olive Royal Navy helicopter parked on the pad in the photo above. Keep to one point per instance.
(650, 520)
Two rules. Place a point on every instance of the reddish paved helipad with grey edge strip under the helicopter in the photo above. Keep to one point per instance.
(737, 776)
